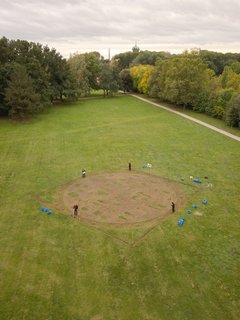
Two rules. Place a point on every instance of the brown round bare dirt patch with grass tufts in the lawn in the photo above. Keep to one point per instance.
(122, 198)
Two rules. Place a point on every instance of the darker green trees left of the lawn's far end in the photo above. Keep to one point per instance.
(33, 76)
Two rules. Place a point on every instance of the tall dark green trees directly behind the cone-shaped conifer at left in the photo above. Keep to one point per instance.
(49, 72)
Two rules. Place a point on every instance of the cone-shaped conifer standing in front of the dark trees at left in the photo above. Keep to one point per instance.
(20, 95)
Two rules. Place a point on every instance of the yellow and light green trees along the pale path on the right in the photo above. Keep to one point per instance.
(204, 81)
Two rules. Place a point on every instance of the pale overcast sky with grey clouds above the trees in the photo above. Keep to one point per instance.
(96, 25)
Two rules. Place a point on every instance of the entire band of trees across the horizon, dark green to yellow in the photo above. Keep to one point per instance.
(33, 76)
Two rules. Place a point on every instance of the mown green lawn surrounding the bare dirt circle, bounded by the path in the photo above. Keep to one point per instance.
(52, 267)
